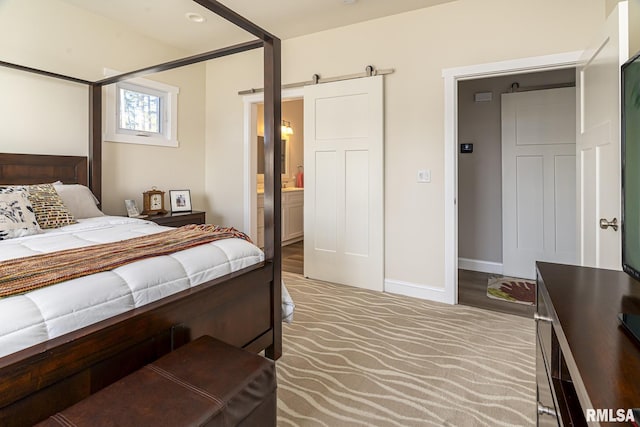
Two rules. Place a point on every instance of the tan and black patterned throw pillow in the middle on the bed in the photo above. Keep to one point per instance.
(48, 206)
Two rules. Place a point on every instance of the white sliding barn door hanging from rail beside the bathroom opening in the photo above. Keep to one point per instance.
(343, 197)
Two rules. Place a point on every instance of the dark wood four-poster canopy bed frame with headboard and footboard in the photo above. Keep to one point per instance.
(243, 308)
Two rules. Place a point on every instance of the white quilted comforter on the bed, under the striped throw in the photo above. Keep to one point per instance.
(49, 312)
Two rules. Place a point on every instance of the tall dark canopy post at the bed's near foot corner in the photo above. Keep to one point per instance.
(273, 183)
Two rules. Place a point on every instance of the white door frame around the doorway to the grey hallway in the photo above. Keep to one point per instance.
(451, 77)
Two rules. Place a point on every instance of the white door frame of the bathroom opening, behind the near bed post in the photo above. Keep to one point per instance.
(250, 166)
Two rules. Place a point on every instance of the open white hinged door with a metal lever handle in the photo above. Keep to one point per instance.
(598, 147)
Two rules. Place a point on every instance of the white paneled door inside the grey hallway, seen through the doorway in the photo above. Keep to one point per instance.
(538, 179)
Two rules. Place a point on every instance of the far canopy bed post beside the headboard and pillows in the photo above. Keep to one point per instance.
(95, 140)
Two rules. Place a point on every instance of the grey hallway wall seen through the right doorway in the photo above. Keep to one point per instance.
(479, 173)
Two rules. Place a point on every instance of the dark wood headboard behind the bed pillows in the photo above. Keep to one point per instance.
(38, 169)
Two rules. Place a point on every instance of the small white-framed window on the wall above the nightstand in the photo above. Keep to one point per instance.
(142, 111)
